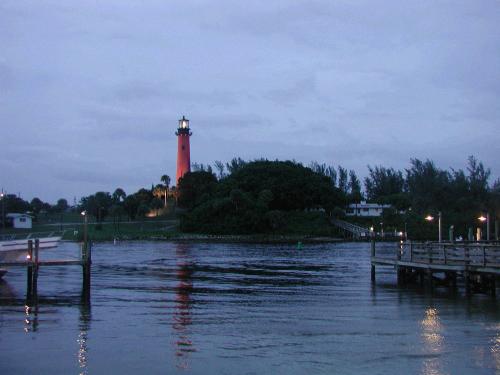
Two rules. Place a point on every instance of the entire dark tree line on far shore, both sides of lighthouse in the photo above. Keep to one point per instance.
(255, 195)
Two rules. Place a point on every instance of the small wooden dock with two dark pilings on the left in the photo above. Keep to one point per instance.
(33, 264)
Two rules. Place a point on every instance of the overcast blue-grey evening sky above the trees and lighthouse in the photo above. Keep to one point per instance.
(91, 91)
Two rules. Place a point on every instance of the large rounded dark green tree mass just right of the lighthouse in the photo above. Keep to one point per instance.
(257, 197)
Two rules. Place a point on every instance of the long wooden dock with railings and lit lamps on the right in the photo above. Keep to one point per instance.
(477, 263)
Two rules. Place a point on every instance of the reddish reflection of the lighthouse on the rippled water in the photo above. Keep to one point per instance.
(182, 312)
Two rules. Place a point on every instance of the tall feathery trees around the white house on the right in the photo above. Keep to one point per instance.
(460, 196)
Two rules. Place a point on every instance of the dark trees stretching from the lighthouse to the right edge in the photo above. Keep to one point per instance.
(421, 189)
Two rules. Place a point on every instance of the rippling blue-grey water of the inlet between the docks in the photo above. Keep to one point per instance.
(160, 307)
